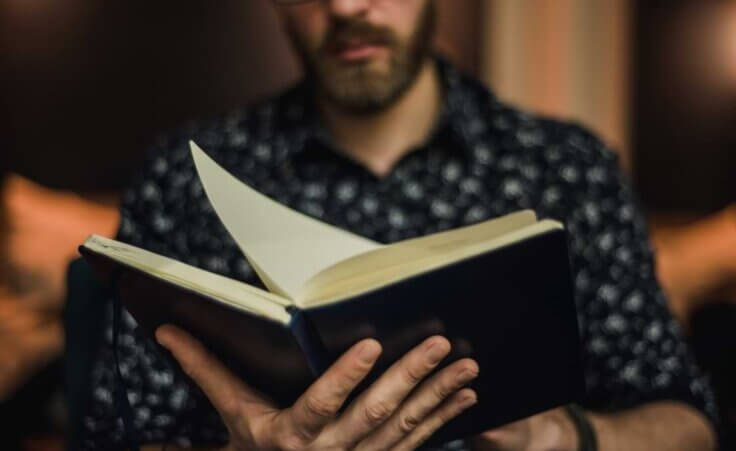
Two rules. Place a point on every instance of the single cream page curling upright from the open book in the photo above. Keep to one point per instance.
(286, 248)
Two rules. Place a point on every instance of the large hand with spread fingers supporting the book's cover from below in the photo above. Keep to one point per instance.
(399, 411)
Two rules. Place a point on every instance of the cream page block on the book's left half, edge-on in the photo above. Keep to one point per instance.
(228, 291)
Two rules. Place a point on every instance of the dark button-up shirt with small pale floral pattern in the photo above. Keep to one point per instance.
(484, 159)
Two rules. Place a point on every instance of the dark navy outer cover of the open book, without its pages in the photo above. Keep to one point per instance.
(511, 309)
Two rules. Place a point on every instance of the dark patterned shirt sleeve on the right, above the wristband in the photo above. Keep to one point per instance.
(634, 350)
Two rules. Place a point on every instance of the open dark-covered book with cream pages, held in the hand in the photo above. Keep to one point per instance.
(500, 290)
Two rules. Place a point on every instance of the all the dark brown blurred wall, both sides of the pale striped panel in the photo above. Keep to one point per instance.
(85, 84)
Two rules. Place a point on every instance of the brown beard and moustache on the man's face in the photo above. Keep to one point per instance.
(357, 88)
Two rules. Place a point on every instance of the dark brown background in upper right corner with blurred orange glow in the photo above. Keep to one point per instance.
(684, 105)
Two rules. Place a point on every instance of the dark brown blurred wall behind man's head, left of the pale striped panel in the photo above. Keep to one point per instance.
(87, 83)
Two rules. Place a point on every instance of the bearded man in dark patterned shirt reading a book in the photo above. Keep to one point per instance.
(390, 142)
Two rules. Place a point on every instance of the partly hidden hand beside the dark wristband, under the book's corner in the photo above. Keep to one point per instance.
(549, 431)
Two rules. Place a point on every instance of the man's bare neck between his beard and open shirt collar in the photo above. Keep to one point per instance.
(380, 140)
